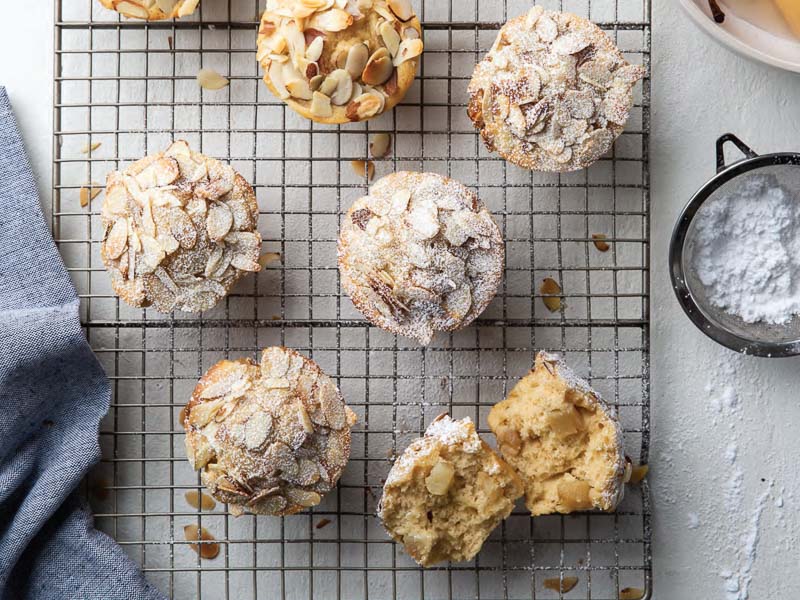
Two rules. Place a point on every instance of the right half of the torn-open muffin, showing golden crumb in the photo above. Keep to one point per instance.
(562, 439)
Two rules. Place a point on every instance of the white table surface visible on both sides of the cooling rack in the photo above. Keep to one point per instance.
(712, 513)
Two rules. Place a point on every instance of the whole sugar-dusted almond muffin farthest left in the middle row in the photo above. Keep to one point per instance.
(179, 230)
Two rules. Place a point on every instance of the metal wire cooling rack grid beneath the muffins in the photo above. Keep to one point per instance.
(131, 86)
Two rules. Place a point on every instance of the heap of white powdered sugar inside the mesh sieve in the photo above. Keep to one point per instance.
(747, 250)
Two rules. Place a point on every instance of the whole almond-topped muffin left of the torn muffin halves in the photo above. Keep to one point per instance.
(270, 439)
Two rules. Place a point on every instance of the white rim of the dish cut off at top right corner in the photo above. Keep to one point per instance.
(772, 46)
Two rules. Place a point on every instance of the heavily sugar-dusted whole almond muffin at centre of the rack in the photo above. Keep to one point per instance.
(420, 254)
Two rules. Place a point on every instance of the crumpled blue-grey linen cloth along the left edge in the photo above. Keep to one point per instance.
(53, 394)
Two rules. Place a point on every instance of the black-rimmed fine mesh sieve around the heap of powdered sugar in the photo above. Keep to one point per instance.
(759, 338)
